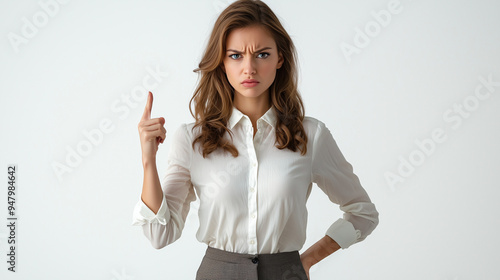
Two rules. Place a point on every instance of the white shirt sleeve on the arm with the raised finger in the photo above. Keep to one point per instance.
(166, 225)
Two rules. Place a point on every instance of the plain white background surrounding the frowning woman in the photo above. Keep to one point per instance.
(78, 67)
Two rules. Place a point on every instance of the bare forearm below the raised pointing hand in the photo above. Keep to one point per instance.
(152, 194)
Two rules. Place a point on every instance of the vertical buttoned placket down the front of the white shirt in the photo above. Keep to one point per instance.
(252, 192)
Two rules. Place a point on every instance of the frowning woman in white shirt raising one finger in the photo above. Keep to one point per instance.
(251, 156)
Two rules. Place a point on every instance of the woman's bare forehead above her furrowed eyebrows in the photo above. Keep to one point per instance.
(249, 37)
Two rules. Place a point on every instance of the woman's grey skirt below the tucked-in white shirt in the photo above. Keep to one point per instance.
(222, 265)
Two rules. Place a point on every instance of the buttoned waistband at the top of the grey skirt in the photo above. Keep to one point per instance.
(226, 256)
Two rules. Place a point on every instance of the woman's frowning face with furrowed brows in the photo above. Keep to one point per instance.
(251, 54)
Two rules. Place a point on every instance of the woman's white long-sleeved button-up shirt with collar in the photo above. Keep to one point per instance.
(256, 203)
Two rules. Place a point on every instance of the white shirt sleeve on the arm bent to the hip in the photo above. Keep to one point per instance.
(334, 176)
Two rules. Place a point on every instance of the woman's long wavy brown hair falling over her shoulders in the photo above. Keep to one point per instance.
(214, 94)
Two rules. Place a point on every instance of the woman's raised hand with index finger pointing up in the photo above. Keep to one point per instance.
(151, 132)
